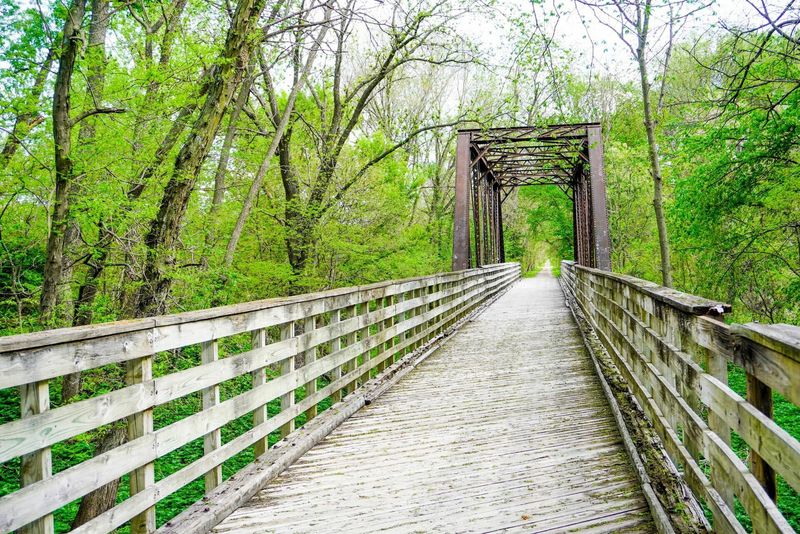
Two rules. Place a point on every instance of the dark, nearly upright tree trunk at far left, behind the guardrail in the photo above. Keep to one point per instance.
(62, 130)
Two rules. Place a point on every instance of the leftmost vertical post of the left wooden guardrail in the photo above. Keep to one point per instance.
(36, 466)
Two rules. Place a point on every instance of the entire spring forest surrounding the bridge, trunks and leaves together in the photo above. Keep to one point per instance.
(159, 156)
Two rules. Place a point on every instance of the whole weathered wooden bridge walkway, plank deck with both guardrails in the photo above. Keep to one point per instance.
(461, 402)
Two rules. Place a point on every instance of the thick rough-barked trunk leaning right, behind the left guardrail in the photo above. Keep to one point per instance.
(164, 232)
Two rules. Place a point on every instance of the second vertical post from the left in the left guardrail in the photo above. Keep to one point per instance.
(139, 425)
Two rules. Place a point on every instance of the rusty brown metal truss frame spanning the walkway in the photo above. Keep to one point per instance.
(490, 163)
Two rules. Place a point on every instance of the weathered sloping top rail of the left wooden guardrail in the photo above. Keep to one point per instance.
(26, 358)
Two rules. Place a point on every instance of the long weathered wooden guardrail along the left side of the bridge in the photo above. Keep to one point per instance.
(343, 335)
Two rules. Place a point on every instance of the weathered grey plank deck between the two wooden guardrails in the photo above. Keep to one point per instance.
(505, 428)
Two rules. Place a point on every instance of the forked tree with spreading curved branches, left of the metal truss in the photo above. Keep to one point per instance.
(415, 33)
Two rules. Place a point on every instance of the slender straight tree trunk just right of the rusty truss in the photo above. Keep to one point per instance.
(655, 167)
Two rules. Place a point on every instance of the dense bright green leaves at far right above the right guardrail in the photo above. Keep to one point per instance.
(736, 212)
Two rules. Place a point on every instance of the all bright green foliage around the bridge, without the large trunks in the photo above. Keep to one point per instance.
(730, 138)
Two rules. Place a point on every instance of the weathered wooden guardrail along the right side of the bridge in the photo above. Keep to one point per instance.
(674, 352)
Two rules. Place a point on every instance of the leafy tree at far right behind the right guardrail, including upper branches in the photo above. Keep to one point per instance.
(736, 197)
